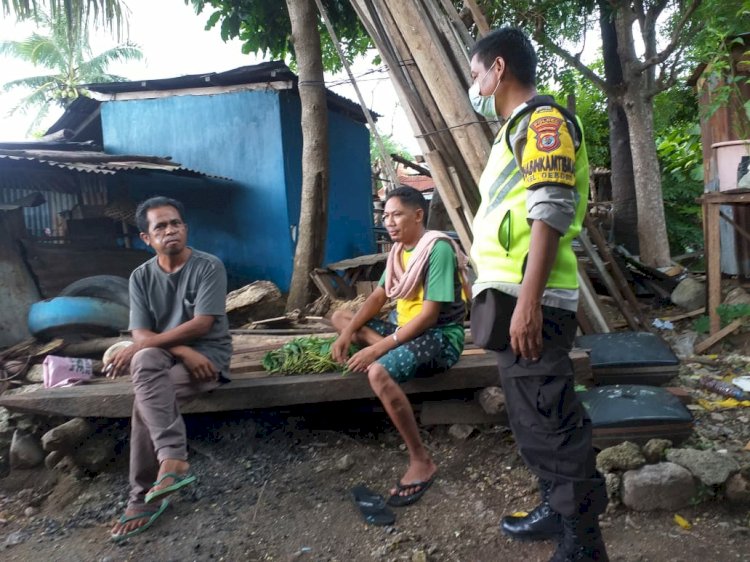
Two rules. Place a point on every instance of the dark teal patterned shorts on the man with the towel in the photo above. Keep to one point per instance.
(425, 355)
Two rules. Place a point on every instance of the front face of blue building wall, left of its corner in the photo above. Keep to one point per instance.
(236, 135)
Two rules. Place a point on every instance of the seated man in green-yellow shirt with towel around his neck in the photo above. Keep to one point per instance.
(424, 273)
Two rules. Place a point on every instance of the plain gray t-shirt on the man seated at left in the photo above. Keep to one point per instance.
(160, 301)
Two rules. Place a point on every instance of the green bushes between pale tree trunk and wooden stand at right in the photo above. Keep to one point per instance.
(681, 158)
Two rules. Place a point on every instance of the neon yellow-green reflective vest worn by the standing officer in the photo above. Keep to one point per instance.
(501, 231)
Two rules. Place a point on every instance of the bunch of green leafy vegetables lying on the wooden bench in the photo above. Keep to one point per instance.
(304, 356)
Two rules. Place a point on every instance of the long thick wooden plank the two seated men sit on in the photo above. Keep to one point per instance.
(115, 399)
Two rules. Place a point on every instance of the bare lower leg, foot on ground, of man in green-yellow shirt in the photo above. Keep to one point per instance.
(397, 405)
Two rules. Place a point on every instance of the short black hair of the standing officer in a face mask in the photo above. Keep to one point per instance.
(514, 47)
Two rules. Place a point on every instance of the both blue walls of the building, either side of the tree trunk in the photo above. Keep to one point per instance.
(253, 137)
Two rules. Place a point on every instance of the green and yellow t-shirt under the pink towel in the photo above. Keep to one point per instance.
(441, 284)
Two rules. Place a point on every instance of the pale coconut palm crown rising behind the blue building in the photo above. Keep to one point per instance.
(64, 52)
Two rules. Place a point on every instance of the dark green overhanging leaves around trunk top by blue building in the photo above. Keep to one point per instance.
(264, 27)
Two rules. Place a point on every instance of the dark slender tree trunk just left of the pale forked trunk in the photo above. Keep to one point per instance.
(625, 211)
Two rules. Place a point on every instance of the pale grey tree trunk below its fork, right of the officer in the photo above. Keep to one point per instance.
(652, 226)
